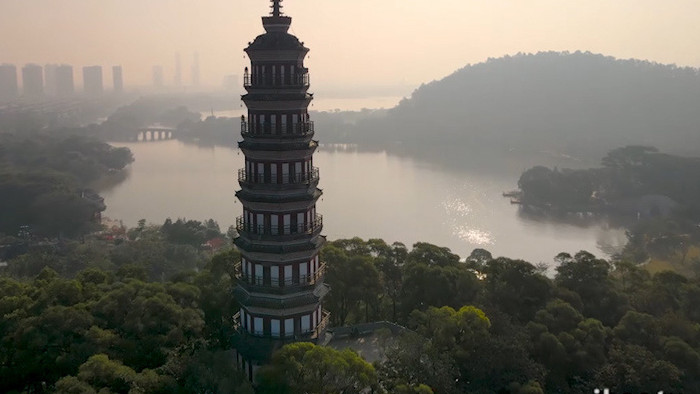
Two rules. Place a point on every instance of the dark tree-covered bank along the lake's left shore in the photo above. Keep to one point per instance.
(45, 180)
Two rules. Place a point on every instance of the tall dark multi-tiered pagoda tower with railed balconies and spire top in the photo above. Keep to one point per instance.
(280, 278)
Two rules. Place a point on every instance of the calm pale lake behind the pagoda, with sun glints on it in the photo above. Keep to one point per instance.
(365, 194)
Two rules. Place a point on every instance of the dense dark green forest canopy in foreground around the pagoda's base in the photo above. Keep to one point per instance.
(480, 324)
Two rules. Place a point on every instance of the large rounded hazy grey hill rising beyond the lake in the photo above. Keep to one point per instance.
(569, 102)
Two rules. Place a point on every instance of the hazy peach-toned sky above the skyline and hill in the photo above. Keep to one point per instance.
(357, 46)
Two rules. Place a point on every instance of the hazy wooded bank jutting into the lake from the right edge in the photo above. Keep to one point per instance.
(656, 195)
